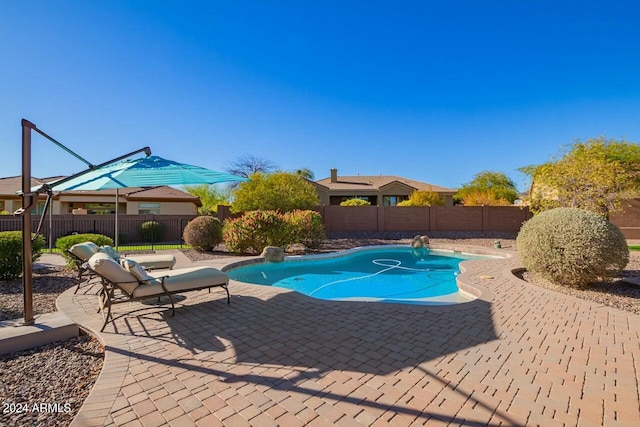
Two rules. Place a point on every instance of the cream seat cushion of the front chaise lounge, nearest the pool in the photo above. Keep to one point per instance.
(183, 279)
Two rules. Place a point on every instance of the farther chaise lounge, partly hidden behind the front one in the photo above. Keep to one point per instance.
(81, 252)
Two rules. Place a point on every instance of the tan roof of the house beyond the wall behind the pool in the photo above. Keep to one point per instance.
(377, 183)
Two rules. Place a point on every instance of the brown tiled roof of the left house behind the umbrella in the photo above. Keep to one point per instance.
(11, 185)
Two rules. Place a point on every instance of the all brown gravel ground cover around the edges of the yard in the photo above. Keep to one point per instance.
(61, 375)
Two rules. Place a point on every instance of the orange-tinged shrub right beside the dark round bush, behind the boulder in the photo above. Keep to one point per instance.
(253, 231)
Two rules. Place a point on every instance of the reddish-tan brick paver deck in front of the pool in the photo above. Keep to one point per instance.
(519, 355)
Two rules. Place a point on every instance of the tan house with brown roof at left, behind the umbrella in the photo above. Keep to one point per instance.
(161, 200)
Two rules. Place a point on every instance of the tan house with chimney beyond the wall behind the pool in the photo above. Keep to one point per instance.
(382, 190)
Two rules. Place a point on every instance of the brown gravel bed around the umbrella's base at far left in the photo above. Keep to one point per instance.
(46, 385)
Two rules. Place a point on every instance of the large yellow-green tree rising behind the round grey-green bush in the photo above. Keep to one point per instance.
(595, 175)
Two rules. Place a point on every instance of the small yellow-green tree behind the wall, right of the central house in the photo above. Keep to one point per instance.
(488, 188)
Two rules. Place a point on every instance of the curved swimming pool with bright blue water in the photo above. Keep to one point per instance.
(398, 274)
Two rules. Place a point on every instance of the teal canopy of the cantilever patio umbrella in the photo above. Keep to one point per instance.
(144, 172)
